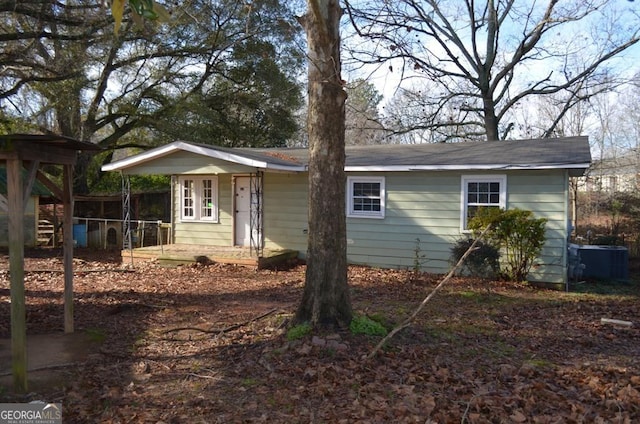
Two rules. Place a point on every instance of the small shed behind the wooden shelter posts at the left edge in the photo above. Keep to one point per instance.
(31, 211)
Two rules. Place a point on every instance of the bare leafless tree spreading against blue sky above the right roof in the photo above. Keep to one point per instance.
(483, 59)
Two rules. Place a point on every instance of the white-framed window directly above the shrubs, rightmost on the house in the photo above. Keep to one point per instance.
(489, 191)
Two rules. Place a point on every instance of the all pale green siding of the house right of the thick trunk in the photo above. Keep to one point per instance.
(423, 213)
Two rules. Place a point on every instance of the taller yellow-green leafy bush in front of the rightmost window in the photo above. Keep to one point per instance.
(517, 233)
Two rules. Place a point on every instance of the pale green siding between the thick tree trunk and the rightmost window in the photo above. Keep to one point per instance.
(422, 220)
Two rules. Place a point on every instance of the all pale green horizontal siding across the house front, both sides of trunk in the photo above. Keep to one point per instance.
(421, 223)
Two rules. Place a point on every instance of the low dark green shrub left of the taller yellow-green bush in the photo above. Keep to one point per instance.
(483, 262)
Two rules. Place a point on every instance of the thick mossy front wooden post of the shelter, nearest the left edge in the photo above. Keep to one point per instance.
(16, 269)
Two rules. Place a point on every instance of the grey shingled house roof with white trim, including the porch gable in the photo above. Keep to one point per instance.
(571, 153)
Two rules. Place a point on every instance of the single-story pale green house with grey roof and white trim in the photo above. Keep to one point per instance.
(401, 199)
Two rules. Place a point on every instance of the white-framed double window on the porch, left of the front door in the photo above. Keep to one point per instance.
(198, 198)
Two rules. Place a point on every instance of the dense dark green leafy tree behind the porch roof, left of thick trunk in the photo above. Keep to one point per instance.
(252, 105)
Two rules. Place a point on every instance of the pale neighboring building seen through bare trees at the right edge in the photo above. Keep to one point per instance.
(610, 175)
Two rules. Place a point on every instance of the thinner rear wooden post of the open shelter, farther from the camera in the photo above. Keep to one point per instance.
(67, 246)
